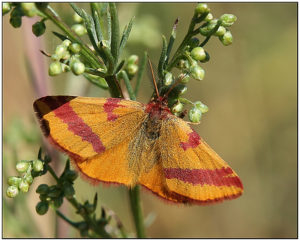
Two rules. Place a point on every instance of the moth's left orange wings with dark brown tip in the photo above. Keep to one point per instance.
(93, 131)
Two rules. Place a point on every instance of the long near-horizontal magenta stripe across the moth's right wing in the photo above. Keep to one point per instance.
(217, 177)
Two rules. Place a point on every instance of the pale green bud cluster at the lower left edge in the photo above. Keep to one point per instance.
(27, 169)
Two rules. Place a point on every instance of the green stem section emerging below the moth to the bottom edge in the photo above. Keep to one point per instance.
(135, 204)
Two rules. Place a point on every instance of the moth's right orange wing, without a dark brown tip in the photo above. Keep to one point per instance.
(192, 169)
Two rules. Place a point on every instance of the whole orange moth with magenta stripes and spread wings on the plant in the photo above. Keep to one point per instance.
(126, 142)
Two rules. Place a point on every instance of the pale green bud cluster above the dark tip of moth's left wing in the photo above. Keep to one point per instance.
(65, 58)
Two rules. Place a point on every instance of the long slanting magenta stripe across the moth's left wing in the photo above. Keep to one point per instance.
(78, 127)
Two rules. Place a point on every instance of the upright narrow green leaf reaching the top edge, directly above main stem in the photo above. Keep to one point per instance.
(115, 31)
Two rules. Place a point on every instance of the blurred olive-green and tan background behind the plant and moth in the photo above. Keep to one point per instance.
(250, 88)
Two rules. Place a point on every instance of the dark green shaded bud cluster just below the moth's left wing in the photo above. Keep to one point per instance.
(54, 195)
